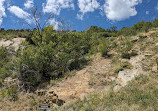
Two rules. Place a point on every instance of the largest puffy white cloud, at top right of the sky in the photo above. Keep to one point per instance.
(120, 9)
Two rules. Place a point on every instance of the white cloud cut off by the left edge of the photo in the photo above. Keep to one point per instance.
(2, 11)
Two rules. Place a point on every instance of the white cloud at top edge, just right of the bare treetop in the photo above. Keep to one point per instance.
(55, 6)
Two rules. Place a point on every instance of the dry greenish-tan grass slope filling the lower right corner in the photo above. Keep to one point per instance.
(140, 95)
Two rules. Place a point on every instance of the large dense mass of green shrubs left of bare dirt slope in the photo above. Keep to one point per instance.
(57, 54)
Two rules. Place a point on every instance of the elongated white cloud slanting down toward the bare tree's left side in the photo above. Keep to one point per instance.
(19, 13)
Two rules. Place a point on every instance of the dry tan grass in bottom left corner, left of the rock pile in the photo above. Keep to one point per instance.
(25, 102)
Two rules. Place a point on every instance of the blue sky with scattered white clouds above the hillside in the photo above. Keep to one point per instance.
(80, 13)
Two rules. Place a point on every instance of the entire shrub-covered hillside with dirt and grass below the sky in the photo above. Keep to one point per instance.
(80, 71)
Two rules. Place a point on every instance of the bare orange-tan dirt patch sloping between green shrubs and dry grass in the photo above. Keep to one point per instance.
(78, 85)
